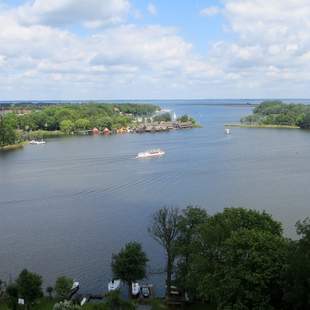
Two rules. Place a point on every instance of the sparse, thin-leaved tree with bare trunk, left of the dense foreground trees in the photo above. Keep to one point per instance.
(164, 229)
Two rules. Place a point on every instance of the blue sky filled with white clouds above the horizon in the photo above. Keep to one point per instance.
(159, 49)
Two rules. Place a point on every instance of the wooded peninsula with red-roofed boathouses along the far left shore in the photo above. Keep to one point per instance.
(20, 123)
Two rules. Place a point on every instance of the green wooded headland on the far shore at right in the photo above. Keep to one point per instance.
(279, 113)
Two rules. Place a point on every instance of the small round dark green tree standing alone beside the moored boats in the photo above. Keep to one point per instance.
(130, 264)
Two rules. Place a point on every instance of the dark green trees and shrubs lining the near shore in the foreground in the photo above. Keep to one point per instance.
(237, 259)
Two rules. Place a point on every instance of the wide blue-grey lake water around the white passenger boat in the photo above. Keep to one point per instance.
(68, 205)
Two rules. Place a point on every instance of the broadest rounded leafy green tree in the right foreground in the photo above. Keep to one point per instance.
(231, 250)
